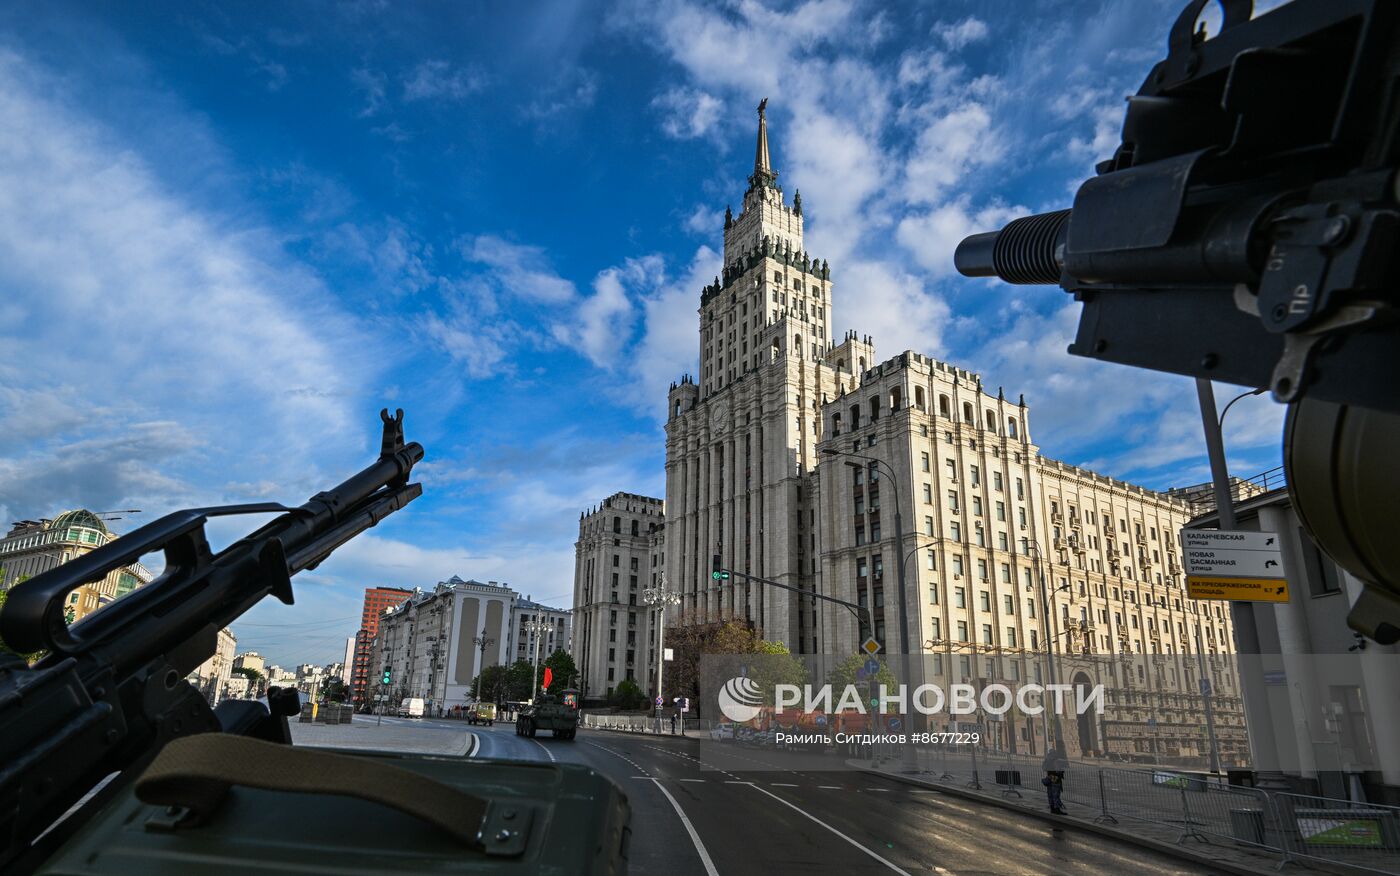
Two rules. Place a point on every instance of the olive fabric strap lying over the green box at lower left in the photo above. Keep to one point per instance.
(195, 773)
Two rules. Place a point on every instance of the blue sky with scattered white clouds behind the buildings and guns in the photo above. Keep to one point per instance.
(230, 234)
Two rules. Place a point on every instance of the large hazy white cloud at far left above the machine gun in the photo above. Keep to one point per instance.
(150, 310)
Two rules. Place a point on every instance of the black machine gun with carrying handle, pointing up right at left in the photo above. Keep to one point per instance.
(111, 691)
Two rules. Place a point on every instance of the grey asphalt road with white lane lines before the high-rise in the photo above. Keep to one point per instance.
(710, 808)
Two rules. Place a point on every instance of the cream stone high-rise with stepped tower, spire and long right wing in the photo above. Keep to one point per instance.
(790, 455)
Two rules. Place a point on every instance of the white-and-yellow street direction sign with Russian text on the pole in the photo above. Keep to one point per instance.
(1234, 566)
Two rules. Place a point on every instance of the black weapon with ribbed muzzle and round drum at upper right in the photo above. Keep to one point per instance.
(1247, 232)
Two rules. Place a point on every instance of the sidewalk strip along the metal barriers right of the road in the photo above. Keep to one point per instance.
(1216, 854)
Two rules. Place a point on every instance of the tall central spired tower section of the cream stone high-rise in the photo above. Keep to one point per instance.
(741, 439)
